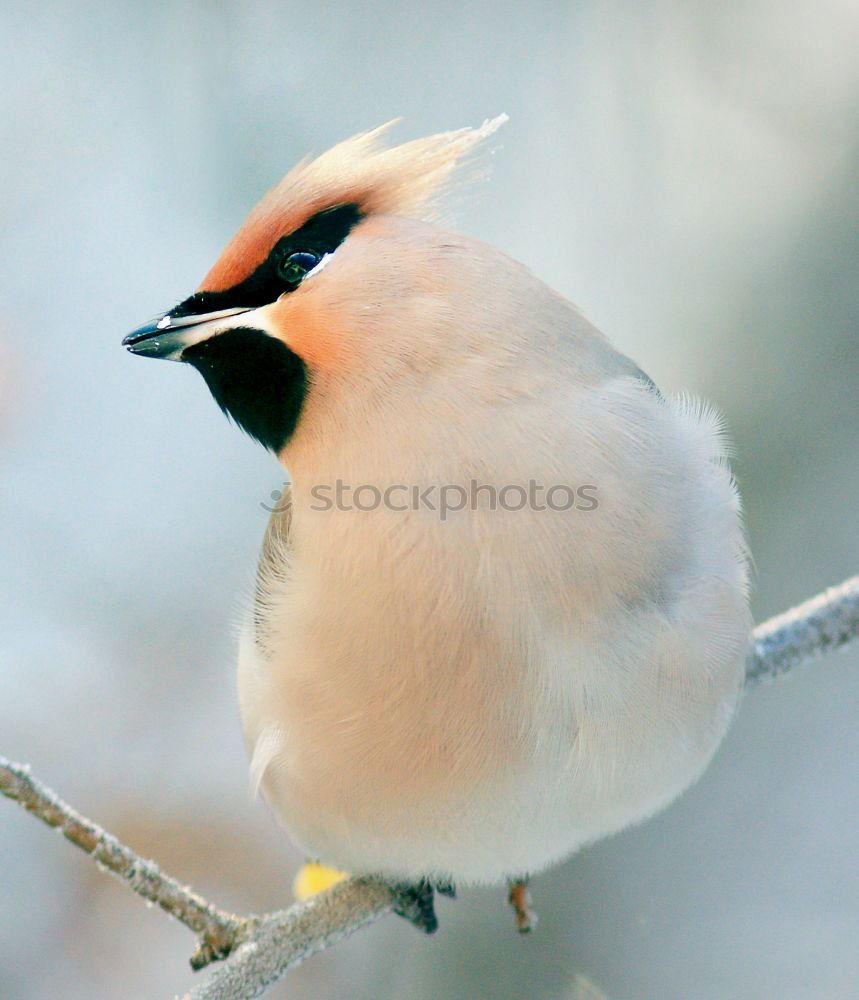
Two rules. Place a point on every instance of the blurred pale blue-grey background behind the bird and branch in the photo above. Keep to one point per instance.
(686, 172)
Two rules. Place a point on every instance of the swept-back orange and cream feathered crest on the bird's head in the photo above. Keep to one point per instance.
(399, 180)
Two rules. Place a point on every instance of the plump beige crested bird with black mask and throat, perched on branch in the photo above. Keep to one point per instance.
(502, 608)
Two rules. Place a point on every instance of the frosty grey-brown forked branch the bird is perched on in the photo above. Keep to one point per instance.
(258, 950)
